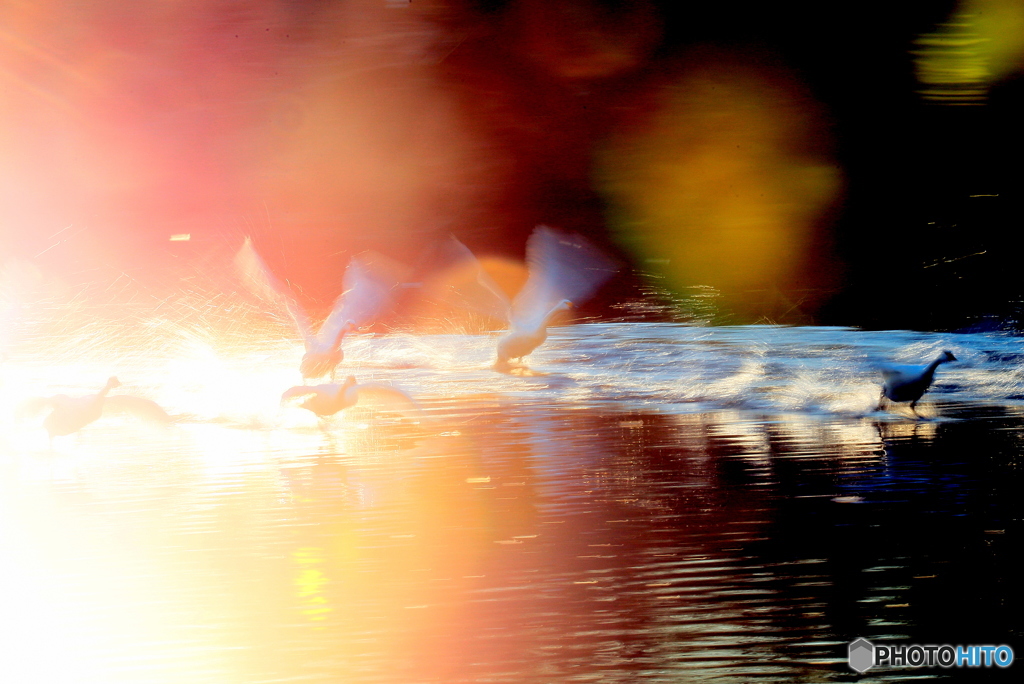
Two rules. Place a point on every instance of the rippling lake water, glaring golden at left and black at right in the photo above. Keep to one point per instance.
(668, 505)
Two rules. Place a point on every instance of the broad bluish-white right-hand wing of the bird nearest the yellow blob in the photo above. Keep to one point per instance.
(562, 267)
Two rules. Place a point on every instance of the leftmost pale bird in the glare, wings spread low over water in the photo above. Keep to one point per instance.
(71, 414)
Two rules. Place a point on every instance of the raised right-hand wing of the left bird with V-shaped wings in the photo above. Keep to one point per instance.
(367, 290)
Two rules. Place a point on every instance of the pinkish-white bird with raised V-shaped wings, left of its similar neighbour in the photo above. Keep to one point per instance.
(365, 293)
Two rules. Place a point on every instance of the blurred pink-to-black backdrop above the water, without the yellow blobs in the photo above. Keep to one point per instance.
(123, 126)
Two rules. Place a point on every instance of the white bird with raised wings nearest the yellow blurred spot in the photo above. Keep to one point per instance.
(564, 271)
